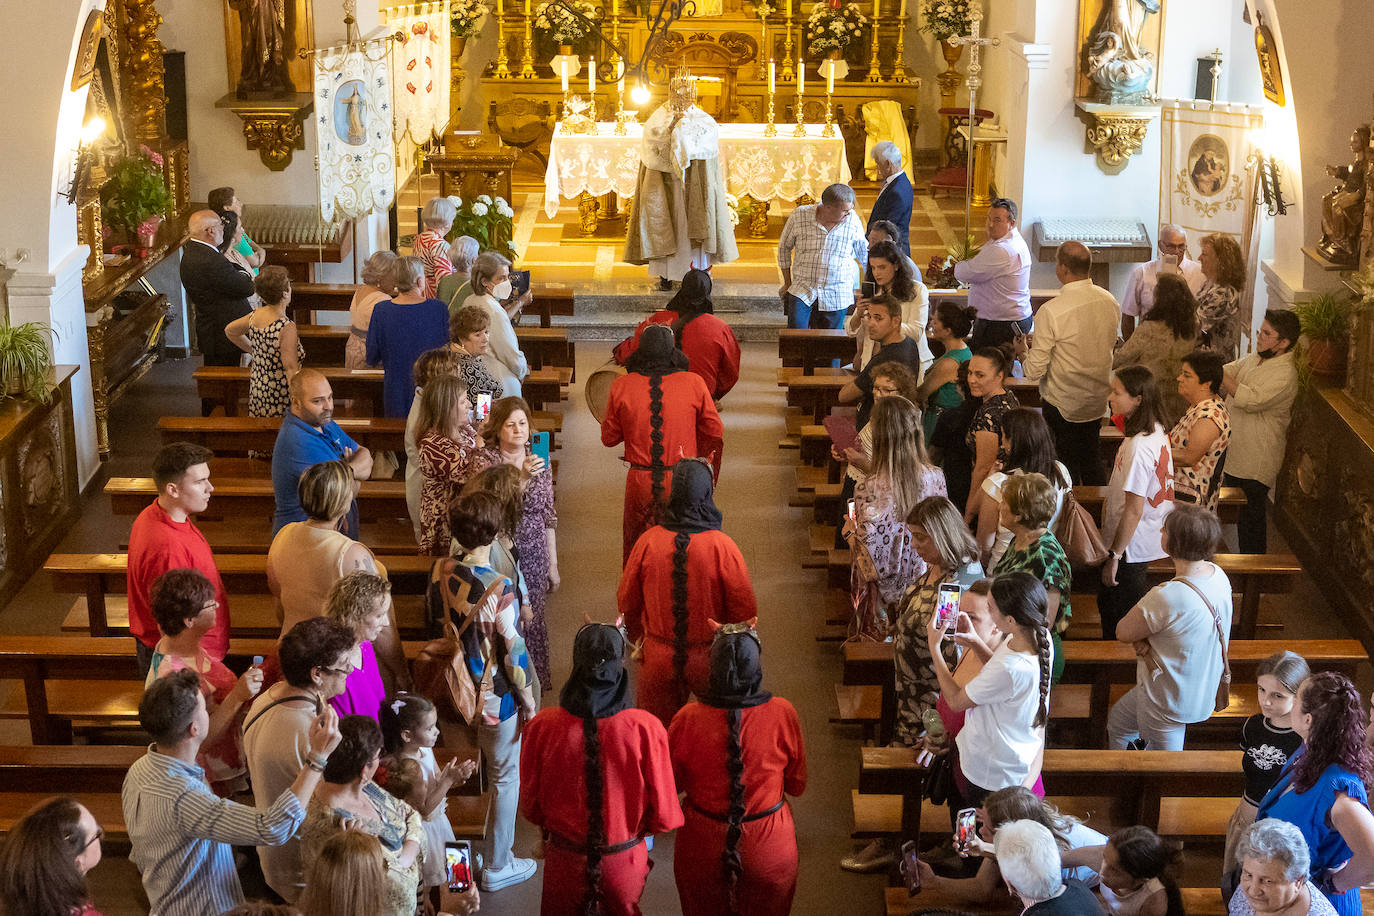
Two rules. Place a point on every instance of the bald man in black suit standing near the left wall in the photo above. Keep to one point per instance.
(218, 289)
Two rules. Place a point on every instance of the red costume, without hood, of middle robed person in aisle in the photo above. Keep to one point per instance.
(718, 590)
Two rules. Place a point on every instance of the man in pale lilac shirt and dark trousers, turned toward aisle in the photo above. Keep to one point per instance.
(1000, 279)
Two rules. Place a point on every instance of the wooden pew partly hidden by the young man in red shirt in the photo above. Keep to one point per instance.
(95, 576)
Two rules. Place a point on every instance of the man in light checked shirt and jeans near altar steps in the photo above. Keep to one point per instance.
(821, 253)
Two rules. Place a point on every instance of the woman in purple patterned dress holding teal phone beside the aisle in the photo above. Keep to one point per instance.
(537, 549)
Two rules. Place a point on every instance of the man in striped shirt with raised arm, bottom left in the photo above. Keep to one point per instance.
(181, 832)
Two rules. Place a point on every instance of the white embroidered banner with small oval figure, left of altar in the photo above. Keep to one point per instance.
(354, 133)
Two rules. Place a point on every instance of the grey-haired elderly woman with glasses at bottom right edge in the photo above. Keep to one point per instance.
(1274, 874)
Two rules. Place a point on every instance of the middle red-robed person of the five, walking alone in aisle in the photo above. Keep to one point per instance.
(682, 573)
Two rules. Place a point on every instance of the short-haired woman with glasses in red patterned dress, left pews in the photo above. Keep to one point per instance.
(185, 606)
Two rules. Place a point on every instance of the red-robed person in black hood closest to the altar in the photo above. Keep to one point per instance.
(708, 343)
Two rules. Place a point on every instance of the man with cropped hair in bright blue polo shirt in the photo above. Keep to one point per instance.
(308, 437)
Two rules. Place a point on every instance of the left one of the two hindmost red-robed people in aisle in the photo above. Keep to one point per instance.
(597, 781)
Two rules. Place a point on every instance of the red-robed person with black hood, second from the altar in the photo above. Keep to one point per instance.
(662, 413)
